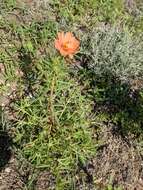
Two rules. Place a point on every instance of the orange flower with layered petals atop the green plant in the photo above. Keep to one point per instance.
(67, 44)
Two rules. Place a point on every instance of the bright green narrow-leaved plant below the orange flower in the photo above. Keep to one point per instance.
(52, 126)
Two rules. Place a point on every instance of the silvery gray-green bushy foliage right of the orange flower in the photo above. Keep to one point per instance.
(115, 54)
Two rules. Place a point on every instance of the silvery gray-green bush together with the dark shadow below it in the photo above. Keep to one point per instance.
(113, 72)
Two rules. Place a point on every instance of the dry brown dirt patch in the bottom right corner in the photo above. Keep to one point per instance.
(118, 161)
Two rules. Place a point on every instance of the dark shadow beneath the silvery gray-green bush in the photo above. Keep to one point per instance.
(120, 101)
